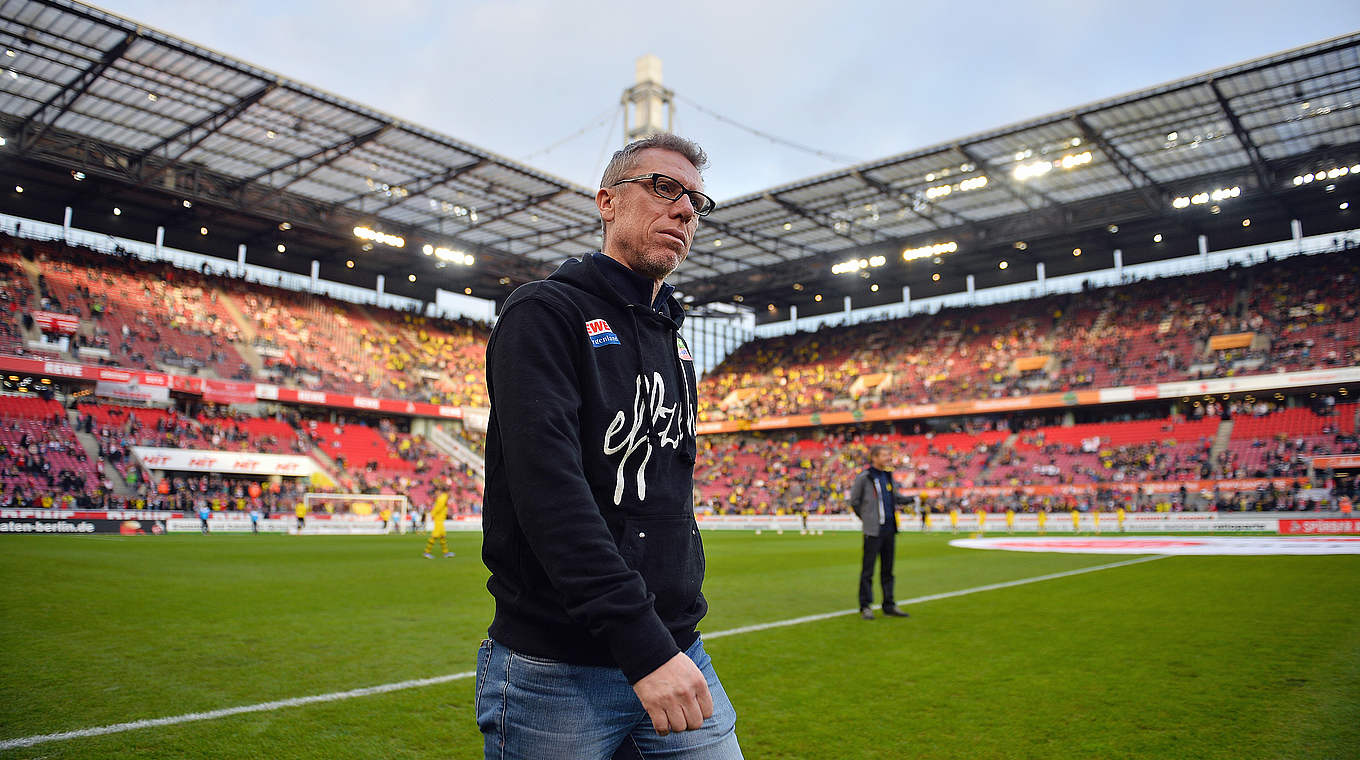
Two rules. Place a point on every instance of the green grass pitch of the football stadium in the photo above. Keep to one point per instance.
(1181, 657)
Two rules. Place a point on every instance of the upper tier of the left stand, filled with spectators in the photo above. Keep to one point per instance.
(158, 317)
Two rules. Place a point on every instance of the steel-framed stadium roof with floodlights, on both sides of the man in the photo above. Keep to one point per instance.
(156, 116)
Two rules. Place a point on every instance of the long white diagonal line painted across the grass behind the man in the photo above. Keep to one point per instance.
(418, 683)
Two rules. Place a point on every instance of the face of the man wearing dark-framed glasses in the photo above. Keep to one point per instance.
(648, 233)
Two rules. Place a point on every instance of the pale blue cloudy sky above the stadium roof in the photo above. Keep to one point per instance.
(855, 81)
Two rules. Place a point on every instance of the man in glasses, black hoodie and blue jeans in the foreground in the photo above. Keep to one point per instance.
(588, 523)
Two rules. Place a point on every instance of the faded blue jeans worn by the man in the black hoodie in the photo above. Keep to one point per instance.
(530, 708)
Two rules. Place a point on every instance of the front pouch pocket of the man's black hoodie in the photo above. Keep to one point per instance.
(668, 554)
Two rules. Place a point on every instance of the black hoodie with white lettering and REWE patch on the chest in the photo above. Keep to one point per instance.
(588, 520)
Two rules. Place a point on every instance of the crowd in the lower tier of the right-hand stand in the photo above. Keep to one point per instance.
(765, 474)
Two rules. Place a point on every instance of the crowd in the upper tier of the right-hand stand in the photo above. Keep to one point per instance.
(1157, 331)
